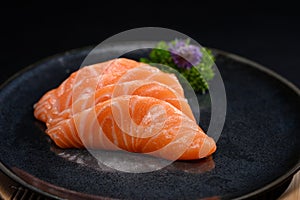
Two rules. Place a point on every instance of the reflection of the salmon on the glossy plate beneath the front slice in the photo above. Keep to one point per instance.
(84, 158)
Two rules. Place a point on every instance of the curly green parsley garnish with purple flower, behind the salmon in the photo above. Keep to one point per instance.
(197, 70)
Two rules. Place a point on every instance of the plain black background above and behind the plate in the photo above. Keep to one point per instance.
(31, 32)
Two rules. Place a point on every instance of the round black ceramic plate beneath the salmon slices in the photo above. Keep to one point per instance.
(258, 149)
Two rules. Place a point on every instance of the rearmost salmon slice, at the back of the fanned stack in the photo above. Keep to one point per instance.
(87, 80)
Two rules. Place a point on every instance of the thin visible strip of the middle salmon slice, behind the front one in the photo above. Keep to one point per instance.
(138, 87)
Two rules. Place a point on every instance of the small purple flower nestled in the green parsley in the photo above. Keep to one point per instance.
(184, 54)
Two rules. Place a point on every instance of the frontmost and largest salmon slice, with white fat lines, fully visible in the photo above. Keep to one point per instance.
(135, 124)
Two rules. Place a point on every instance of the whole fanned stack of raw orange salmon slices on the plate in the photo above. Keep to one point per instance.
(123, 104)
